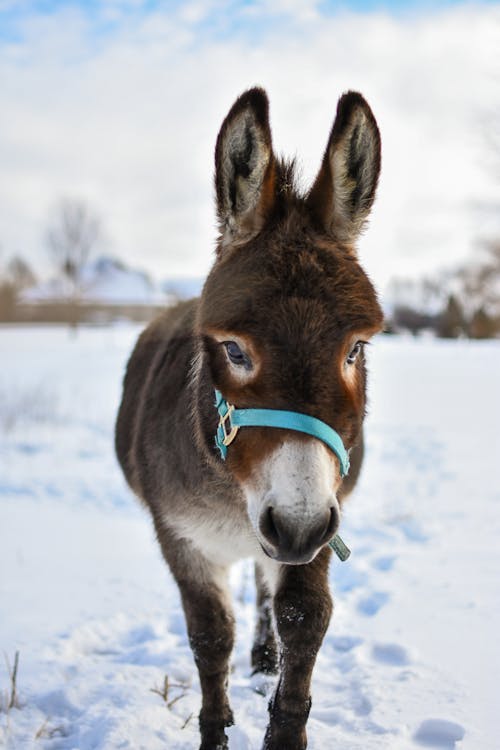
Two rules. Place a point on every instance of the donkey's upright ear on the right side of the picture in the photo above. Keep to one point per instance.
(343, 192)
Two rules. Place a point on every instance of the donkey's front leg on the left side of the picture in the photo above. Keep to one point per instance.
(210, 625)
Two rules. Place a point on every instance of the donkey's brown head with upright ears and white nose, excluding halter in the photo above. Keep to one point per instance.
(285, 314)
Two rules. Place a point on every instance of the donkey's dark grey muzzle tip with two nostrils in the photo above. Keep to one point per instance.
(291, 539)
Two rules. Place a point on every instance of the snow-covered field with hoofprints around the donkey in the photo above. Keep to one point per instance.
(411, 658)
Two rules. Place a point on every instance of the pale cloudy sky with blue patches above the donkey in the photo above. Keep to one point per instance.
(119, 102)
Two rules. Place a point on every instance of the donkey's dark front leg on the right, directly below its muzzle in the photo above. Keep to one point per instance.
(303, 607)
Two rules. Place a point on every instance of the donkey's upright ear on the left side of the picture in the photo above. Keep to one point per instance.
(244, 168)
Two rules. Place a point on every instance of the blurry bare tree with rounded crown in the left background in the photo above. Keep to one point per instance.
(72, 235)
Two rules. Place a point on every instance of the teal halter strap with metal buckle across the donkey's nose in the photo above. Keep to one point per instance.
(231, 419)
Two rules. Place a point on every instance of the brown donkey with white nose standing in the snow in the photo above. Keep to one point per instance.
(242, 409)
